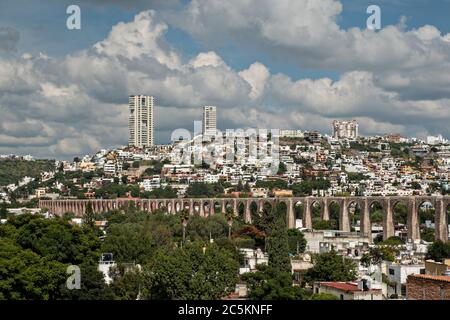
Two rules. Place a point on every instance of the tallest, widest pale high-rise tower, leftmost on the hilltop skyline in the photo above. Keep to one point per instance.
(141, 121)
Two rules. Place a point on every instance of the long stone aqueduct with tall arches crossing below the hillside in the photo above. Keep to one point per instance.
(208, 206)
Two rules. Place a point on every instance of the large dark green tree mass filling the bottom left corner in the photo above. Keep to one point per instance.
(34, 256)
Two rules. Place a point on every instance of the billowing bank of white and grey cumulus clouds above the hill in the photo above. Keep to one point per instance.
(76, 104)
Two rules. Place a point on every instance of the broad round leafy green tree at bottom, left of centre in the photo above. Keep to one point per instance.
(190, 273)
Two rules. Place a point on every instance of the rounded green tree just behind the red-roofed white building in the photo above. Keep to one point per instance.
(330, 266)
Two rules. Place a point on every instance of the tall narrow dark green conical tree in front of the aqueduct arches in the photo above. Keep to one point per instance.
(278, 246)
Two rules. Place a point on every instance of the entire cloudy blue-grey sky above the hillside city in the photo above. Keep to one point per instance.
(264, 63)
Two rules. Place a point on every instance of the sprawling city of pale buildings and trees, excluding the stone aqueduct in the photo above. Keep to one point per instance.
(321, 262)
